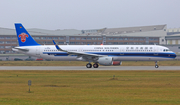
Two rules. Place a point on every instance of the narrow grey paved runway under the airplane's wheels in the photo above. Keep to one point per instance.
(84, 68)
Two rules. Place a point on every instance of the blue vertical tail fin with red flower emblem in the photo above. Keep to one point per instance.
(24, 38)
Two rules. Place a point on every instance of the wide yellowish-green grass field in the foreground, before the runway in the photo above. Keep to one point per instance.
(90, 87)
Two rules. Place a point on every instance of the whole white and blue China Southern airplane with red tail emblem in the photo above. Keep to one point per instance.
(106, 55)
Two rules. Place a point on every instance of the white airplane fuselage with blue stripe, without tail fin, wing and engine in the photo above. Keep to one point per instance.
(117, 52)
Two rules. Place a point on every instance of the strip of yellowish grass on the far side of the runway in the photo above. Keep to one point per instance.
(80, 63)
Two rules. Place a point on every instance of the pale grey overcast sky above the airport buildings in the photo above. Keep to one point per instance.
(89, 14)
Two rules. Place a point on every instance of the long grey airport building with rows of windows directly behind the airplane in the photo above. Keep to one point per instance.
(142, 35)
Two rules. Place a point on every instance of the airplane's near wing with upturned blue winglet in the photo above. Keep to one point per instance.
(82, 54)
